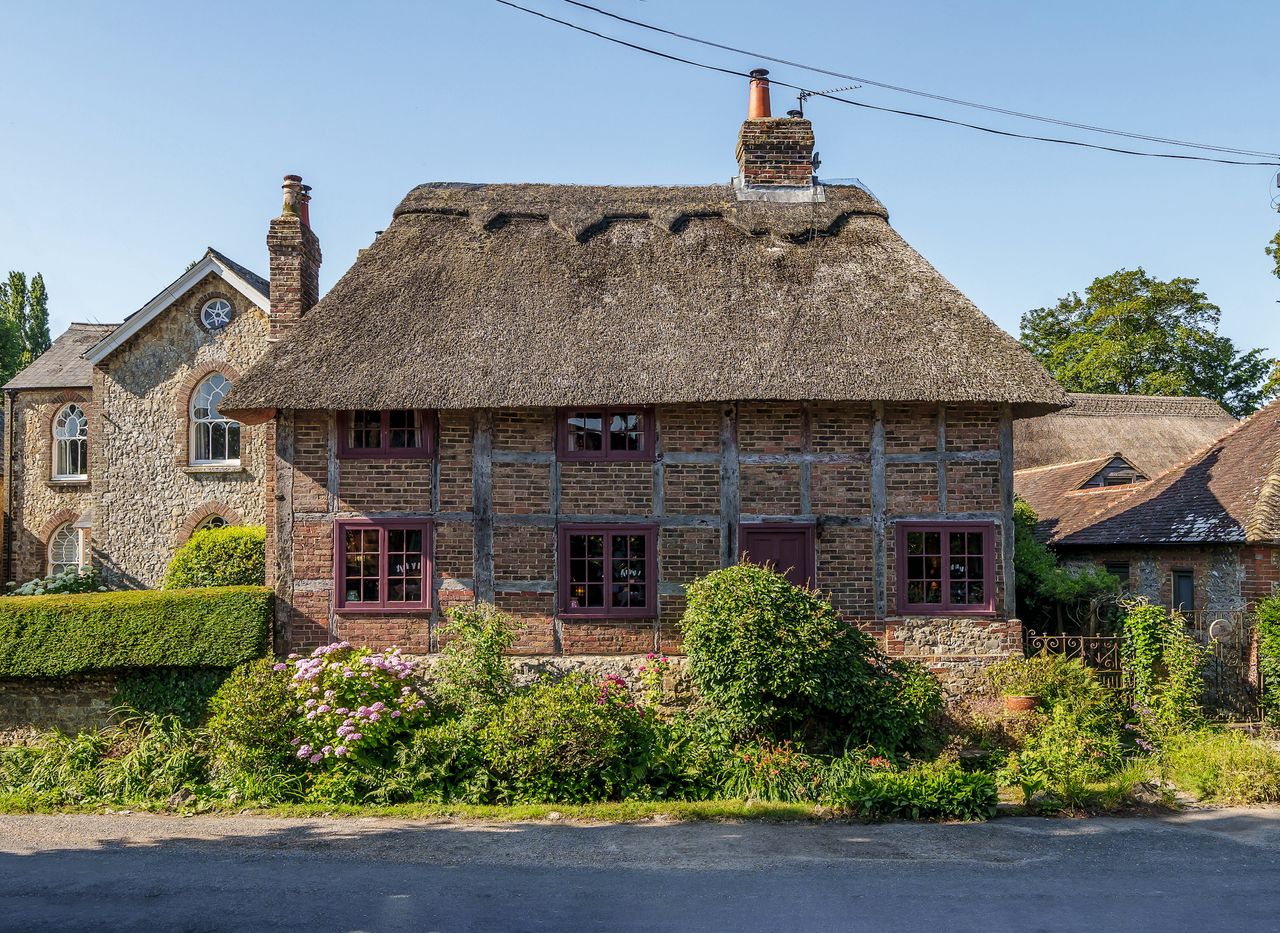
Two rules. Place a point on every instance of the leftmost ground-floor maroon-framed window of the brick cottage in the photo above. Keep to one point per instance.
(383, 565)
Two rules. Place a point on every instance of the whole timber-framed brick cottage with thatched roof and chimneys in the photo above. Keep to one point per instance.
(572, 401)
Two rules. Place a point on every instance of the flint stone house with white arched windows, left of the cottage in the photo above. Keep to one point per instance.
(116, 450)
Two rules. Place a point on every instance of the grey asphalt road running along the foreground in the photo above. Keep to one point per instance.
(1204, 871)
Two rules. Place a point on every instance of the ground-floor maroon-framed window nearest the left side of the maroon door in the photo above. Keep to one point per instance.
(609, 571)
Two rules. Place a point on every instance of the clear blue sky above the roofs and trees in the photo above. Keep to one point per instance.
(138, 134)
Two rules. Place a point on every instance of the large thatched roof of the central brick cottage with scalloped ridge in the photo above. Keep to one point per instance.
(531, 295)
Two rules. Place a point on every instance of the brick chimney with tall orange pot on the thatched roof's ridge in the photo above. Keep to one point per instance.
(774, 152)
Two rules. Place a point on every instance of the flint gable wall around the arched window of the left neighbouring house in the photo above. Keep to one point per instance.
(147, 488)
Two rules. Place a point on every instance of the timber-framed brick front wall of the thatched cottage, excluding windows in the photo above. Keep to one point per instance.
(821, 464)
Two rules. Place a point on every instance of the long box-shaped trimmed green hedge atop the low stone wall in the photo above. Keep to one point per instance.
(56, 637)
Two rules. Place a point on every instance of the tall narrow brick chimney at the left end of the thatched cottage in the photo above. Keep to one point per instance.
(295, 253)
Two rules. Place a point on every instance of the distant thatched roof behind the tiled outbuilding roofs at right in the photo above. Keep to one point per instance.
(1154, 433)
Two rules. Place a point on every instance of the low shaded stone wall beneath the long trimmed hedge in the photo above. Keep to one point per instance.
(71, 705)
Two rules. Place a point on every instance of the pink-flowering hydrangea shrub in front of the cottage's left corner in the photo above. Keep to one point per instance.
(353, 702)
